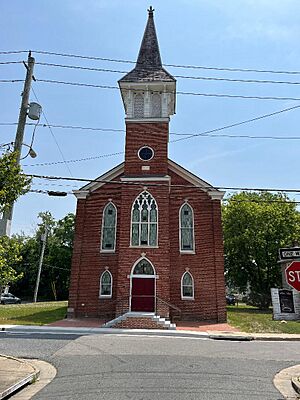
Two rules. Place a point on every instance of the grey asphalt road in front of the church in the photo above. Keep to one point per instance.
(119, 367)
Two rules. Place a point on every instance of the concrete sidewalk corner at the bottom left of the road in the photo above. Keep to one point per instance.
(15, 374)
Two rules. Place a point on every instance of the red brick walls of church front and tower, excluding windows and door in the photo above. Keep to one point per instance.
(170, 191)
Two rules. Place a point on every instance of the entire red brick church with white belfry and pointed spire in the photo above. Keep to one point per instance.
(148, 237)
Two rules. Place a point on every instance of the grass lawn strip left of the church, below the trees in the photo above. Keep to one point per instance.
(32, 313)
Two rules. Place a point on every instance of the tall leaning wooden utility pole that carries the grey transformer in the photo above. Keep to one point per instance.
(5, 222)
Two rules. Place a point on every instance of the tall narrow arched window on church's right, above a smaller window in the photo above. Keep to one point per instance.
(186, 228)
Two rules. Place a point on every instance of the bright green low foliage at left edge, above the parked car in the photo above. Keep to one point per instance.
(9, 258)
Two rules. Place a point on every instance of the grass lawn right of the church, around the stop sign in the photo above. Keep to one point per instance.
(250, 319)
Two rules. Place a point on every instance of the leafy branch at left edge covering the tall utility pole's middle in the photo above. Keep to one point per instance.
(13, 182)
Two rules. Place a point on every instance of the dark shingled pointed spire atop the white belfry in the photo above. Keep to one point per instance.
(148, 66)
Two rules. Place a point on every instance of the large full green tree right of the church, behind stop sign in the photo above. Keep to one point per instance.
(255, 226)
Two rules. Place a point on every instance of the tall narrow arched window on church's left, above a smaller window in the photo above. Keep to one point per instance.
(109, 221)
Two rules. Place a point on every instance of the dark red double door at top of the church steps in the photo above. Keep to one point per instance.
(143, 294)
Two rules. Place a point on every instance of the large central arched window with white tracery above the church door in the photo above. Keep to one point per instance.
(144, 221)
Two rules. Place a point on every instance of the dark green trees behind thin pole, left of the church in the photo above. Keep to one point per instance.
(55, 276)
